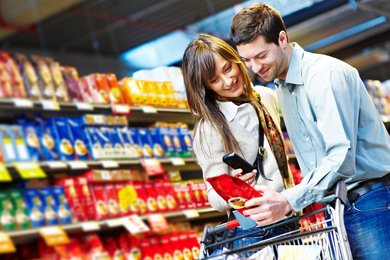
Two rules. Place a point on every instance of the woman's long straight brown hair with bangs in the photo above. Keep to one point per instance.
(198, 67)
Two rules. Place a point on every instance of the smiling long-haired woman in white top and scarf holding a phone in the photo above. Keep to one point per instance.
(227, 111)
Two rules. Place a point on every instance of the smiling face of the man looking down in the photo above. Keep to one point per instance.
(264, 59)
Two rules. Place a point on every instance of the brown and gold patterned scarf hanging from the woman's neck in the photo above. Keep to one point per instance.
(275, 140)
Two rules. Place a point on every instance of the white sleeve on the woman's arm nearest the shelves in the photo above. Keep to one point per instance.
(208, 149)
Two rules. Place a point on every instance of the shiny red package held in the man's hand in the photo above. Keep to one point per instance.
(233, 190)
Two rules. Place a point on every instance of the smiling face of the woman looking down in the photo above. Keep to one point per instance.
(227, 81)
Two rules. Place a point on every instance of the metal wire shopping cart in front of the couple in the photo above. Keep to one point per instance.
(324, 240)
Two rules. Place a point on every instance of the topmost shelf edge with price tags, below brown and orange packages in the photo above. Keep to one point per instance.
(142, 114)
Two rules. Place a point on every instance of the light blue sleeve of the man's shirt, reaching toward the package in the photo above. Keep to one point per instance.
(333, 98)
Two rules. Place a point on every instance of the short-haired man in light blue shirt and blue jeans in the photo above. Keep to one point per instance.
(335, 130)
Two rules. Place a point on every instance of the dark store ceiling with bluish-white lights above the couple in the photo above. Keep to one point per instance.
(94, 35)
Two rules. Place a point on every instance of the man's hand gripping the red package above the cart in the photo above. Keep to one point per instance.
(269, 208)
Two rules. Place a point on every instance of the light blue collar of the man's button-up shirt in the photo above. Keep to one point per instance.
(294, 75)
